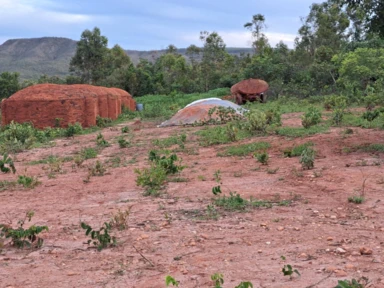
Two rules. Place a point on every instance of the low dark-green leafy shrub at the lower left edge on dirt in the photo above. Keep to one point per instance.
(21, 237)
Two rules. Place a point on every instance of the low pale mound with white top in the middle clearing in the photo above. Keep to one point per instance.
(197, 111)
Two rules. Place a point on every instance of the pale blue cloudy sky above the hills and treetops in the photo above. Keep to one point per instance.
(151, 24)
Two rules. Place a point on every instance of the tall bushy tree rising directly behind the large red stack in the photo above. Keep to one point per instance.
(91, 53)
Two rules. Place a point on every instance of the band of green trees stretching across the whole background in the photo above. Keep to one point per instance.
(339, 49)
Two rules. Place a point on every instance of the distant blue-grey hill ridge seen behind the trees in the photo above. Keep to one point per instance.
(51, 56)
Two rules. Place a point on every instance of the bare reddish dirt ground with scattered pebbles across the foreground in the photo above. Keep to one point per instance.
(319, 233)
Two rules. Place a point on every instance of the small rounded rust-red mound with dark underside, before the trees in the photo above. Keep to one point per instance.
(249, 90)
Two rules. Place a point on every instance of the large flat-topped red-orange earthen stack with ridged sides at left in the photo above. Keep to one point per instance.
(44, 104)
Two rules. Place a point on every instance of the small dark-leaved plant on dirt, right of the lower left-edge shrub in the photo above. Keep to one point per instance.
(99, 238)
